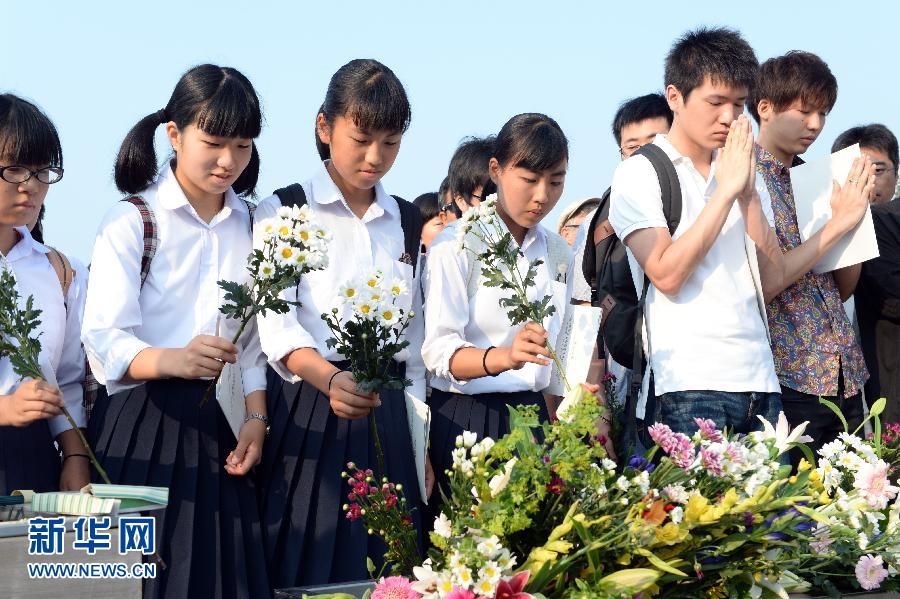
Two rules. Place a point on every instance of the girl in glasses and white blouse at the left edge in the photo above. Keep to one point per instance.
(33, 430)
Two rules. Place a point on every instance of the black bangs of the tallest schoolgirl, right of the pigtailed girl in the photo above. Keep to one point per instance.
(381, 105)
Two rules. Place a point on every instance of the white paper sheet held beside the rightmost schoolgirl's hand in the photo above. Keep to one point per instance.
(575, 346)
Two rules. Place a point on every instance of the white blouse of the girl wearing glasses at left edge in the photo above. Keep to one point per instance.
(60, 326)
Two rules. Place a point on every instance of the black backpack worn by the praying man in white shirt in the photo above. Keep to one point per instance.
(608, 272)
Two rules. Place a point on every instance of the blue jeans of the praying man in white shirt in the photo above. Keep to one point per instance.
(737, 411)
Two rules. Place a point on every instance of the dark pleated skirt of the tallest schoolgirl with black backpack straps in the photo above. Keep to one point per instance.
(309, 541)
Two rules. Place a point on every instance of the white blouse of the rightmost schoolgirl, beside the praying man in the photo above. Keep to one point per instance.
(454, 320)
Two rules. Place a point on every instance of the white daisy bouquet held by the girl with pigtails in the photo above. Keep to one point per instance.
(293, 245)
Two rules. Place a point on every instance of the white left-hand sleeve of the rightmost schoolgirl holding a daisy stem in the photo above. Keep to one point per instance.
(447, 298)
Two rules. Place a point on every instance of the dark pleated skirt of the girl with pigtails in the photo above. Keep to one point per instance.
(209, 535)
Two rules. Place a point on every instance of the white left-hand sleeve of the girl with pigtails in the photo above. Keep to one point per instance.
(112, 308)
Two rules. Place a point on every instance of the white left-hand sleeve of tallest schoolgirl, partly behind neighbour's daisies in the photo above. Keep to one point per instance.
(279, 334)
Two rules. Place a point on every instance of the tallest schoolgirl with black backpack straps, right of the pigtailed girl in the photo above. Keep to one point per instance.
(318, 414)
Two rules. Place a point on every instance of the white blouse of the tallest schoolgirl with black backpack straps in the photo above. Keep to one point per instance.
(358, 246)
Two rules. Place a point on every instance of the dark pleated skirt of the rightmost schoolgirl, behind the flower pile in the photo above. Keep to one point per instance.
(485, 414)
